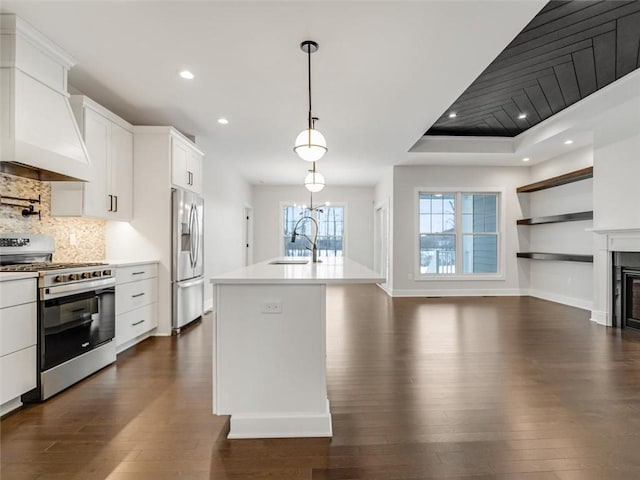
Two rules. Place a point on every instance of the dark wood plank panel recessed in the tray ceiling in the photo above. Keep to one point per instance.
(568, 51)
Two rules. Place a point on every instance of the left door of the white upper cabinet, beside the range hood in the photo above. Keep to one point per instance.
(97, 133)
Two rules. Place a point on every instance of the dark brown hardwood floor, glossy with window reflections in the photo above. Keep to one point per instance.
(474, 388)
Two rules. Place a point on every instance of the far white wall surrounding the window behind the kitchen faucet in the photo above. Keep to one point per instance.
(358, 202)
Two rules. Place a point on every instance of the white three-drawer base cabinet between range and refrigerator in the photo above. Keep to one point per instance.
(136, 303)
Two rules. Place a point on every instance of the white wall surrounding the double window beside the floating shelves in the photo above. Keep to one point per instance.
(407, 179)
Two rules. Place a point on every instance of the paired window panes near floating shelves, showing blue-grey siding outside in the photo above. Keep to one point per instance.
(458, 233)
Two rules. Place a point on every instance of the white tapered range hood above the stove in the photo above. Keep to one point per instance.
(39, 134)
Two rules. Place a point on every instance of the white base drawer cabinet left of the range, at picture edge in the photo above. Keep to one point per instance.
(18, 335)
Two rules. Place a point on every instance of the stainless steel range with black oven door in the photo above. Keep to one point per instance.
(76, 312)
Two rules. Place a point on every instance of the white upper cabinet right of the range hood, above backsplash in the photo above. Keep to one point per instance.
(109, 142)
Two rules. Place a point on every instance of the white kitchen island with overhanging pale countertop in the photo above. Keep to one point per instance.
(269, 369)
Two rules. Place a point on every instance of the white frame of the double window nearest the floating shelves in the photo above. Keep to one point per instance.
(500, 224)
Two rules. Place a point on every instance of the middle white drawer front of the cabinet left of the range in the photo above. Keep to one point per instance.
(18, 328)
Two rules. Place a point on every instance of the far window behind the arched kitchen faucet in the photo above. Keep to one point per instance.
(330, 231)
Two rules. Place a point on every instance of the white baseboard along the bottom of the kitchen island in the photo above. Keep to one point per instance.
(282, 425)
